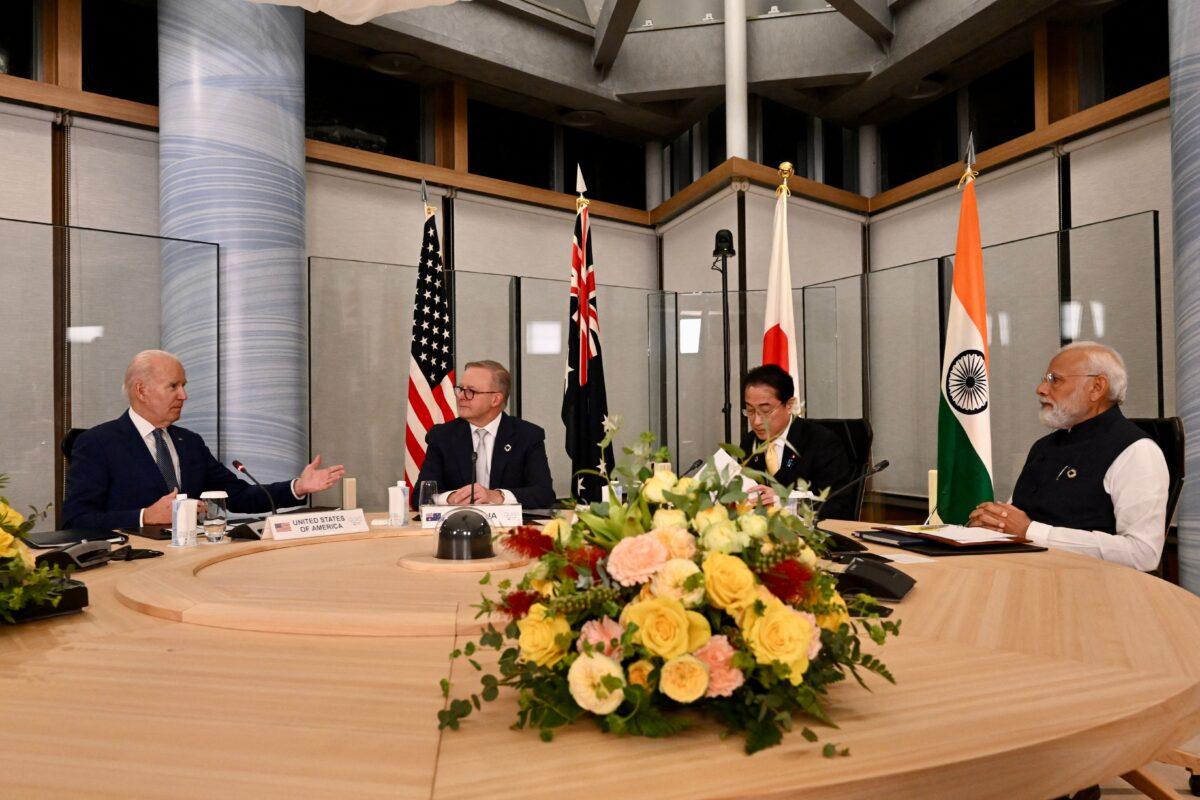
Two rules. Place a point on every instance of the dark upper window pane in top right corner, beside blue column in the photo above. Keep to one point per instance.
(1136, 46)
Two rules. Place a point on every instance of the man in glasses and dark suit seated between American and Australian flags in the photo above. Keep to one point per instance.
(485, 453)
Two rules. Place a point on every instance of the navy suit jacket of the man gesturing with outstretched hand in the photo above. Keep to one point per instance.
(113, 477)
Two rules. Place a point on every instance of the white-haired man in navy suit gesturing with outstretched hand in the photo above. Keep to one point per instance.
(128, 472)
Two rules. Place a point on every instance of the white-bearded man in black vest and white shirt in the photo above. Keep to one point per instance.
(1097, 485)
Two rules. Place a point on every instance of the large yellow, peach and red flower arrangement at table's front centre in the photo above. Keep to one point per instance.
(687, 597)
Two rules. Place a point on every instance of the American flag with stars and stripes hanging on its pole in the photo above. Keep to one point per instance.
(431, 366)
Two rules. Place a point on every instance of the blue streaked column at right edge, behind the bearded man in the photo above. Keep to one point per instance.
(1185, 28)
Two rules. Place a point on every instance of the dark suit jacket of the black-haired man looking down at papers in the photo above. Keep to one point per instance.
(815, 455)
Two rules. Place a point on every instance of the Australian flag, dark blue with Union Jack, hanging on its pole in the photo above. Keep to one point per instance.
(585, 404)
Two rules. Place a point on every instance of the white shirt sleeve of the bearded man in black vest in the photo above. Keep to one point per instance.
(1138, 483)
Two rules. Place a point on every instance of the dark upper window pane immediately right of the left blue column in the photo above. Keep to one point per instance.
(361, 109)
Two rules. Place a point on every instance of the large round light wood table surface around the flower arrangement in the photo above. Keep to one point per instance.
(310, 670)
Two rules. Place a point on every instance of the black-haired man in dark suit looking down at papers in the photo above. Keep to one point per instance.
(799, 449)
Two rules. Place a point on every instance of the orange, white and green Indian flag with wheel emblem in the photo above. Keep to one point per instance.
(964, 422)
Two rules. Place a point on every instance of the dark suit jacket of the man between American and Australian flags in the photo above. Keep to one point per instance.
(519, 460)
